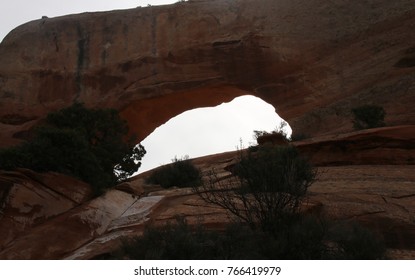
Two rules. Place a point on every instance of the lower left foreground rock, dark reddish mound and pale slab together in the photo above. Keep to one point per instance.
(38, 223)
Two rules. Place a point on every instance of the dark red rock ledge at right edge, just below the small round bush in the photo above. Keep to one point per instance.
(388, 145)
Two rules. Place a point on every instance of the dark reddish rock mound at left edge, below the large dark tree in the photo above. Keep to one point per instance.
(28, 199)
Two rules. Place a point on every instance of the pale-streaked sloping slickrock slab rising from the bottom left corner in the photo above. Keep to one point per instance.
(80, 226)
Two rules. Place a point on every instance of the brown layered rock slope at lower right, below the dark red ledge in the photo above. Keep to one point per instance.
(381, 197)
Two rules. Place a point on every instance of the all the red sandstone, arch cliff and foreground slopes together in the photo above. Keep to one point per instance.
(313, 60)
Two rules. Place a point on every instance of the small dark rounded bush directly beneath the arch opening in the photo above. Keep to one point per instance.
(180, 173)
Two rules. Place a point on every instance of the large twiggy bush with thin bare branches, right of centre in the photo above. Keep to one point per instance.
(267, 186)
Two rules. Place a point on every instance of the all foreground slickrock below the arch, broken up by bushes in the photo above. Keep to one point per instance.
(380, 196)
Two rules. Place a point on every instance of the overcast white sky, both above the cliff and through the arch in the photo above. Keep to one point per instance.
(195, 133)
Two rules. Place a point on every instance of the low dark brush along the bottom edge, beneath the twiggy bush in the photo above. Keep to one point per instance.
(181, 241)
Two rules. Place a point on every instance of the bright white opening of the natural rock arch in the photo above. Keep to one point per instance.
(209, 130)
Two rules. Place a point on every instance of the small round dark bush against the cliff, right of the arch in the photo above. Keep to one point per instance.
(368, 116)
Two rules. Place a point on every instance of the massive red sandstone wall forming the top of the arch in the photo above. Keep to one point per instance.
(312, 60)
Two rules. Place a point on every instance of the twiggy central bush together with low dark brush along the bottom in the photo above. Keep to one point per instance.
(263, 197)
